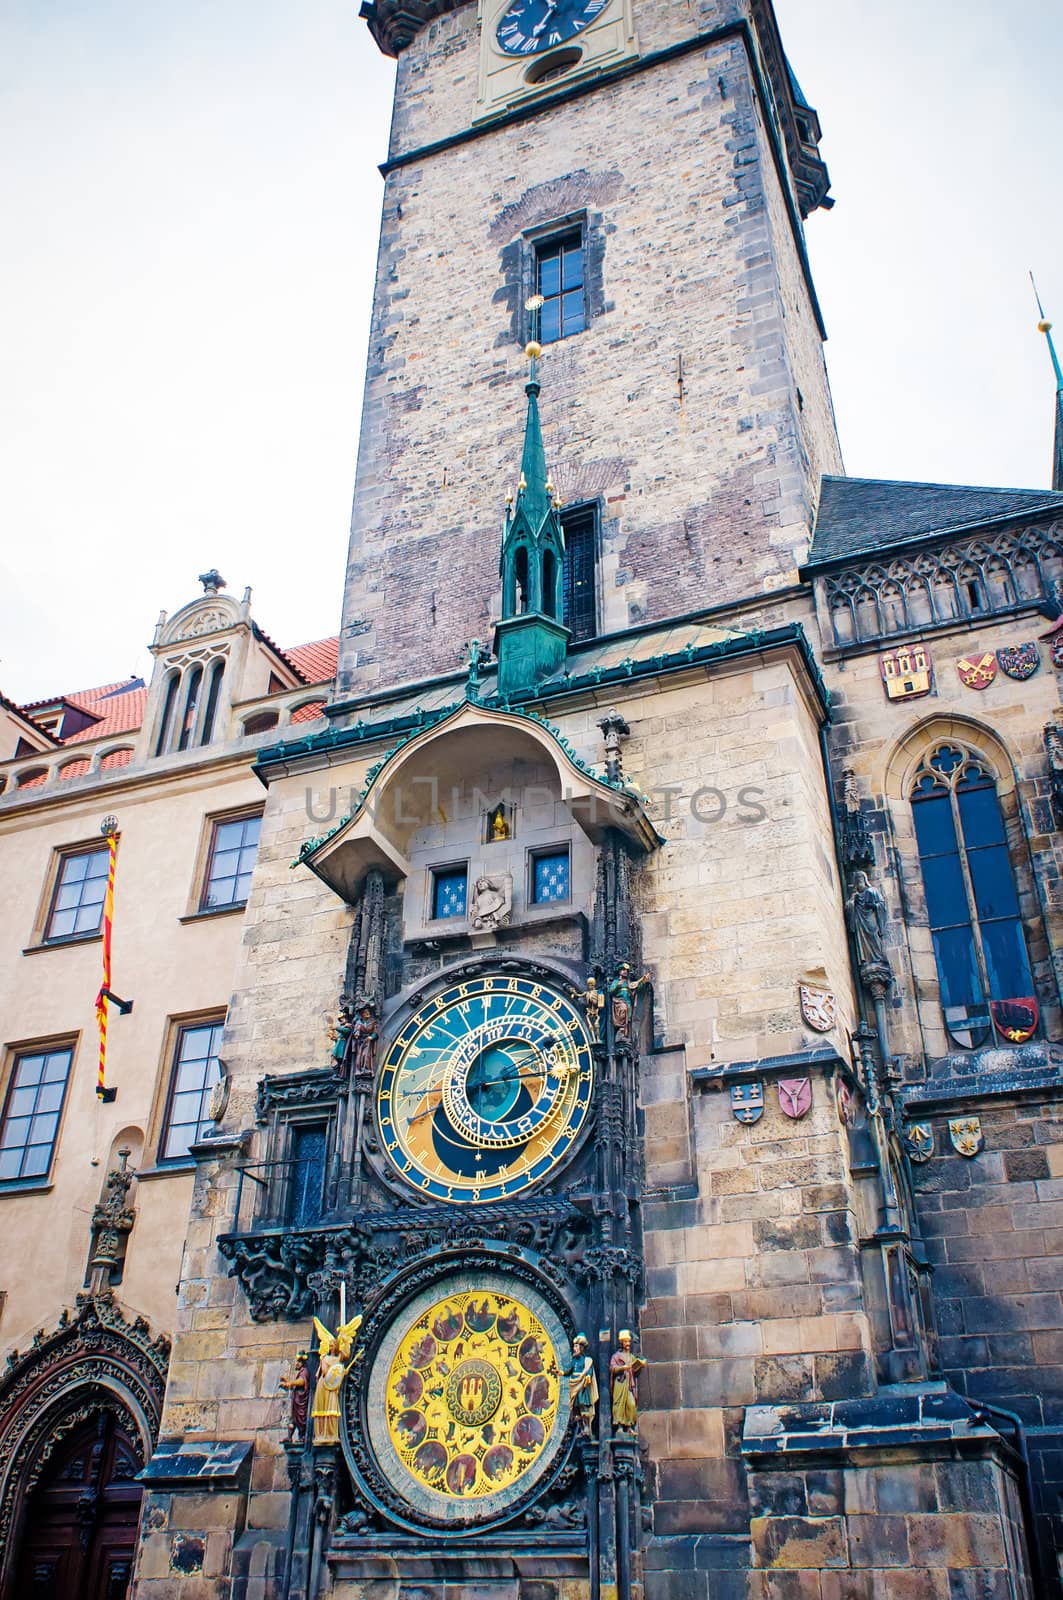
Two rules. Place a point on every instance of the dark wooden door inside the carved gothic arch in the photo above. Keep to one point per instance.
(81, 1519)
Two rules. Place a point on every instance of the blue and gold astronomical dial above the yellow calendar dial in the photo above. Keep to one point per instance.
(486, 1089)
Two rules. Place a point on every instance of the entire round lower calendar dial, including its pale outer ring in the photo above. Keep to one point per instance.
(468, 1399)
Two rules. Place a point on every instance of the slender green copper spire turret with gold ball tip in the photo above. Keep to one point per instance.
(532, 639)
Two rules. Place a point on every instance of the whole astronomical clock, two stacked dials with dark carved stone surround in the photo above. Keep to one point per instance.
(471, 1228)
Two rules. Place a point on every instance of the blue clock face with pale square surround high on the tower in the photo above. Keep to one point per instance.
(529, 47)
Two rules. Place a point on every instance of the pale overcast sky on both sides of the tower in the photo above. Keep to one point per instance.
(190, 201)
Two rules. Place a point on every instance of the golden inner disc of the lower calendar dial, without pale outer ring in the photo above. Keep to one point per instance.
(473, 1394)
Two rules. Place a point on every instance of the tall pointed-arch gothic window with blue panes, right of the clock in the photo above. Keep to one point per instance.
(973, 903)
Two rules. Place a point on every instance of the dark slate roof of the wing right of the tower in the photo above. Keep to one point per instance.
(868, 516)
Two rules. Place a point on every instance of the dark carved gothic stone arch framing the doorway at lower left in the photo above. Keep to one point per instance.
(94, 1361)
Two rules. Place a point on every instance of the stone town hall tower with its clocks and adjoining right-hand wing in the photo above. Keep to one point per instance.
(603, 1028)
